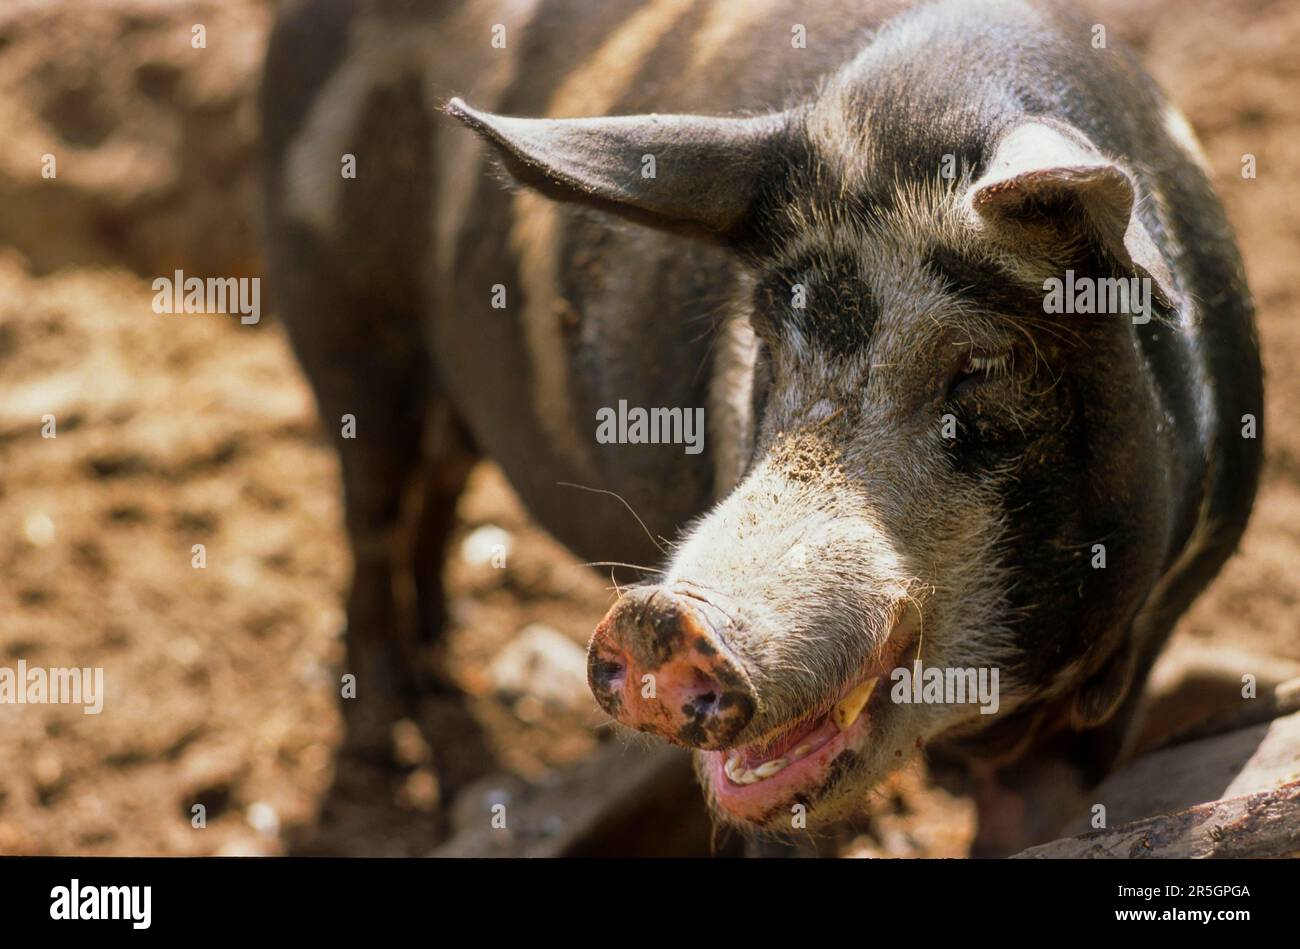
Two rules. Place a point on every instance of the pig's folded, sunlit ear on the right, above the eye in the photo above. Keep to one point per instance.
(1042, 168)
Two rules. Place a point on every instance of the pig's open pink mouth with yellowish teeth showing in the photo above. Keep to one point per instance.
(756, 783)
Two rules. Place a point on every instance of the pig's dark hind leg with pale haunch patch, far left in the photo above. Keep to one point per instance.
(348, 259)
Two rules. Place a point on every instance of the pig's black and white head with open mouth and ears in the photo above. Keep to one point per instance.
(939, 466)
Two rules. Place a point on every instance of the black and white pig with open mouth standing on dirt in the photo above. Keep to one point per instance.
(851, 236)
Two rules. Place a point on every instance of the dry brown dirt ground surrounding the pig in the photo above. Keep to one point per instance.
(175, 431)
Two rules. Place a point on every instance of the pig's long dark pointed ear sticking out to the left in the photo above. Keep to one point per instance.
(692, 175)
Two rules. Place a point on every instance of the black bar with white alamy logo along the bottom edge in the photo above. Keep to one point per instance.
(305, 896)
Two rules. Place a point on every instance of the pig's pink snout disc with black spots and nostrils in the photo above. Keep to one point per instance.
(657, 665)
